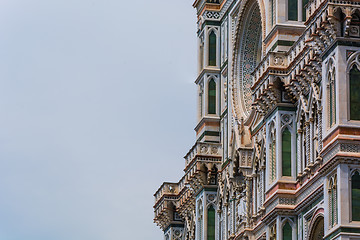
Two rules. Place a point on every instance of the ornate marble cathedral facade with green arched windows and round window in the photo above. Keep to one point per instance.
(277, 147)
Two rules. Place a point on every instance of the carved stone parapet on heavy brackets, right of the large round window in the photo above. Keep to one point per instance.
(299, 69)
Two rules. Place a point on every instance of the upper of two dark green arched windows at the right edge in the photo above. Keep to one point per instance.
(354, 93)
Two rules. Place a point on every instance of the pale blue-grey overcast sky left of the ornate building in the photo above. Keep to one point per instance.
(97, 109)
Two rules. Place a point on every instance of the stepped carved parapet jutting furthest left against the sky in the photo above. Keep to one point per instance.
(174, 201)
